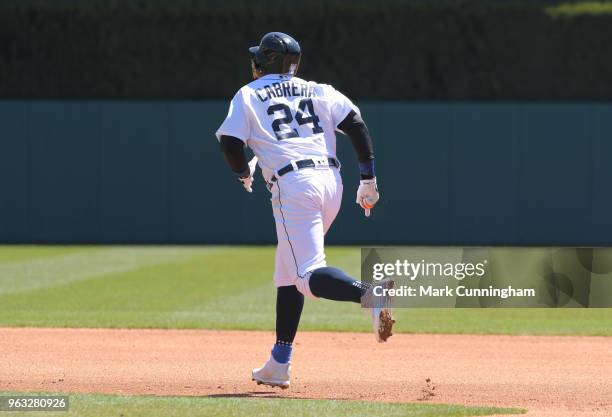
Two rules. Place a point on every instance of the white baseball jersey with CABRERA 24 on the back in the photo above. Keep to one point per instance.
(283, 118)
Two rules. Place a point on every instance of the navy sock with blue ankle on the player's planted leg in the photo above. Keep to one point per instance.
(289, 304)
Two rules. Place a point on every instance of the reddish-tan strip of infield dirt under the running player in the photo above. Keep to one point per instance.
(549, 376)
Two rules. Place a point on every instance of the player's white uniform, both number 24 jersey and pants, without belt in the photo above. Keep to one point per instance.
(284, 119)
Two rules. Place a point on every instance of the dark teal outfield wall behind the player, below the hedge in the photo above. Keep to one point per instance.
(450, 173)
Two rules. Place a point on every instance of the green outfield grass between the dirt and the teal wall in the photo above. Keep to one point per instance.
(219, 288)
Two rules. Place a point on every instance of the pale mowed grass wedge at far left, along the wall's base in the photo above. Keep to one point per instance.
(27, 274)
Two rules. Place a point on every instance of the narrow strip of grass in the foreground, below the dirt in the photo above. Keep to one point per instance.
(150, 406)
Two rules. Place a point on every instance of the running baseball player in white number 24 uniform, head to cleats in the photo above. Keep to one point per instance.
(290, 125)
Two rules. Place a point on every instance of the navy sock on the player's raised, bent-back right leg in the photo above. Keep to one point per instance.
(334, 284)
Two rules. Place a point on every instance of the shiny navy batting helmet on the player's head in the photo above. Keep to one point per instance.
(277, 53)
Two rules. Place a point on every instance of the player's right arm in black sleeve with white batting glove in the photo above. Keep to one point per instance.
(355, 128)
